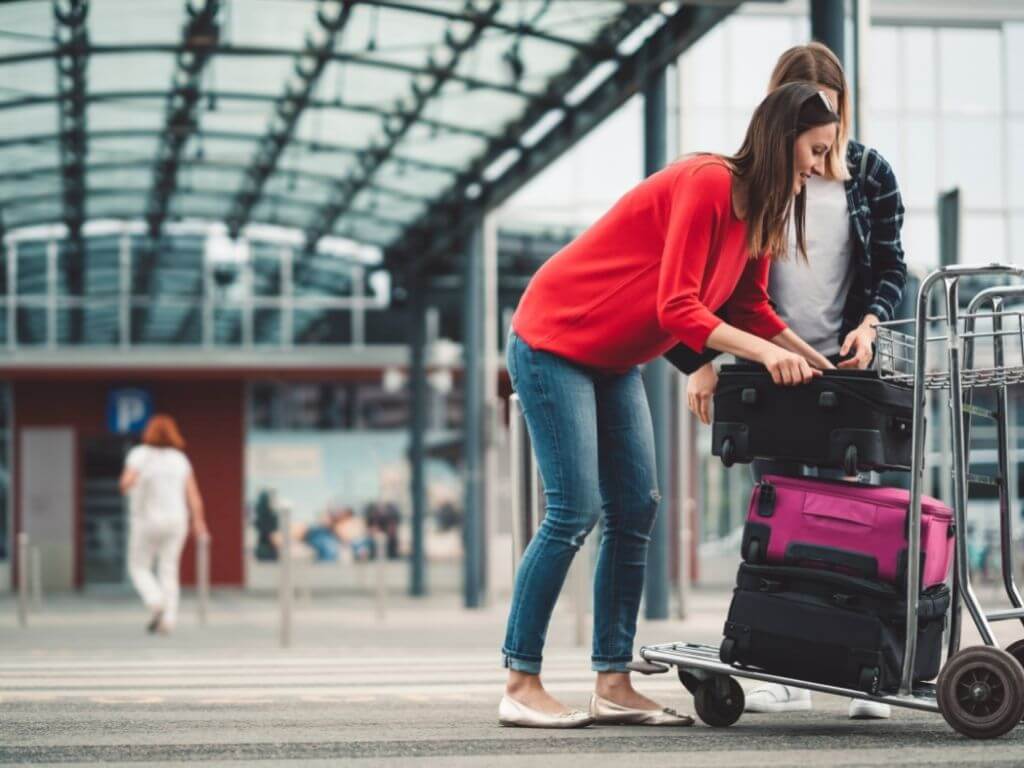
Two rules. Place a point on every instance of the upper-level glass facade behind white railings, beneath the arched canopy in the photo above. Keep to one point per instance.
(198, 289)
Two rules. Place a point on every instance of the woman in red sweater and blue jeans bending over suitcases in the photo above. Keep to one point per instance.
(691, 244)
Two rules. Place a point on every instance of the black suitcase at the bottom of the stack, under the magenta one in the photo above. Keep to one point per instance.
(830, 628)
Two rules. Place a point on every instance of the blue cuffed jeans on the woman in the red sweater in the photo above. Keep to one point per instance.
(594, 443)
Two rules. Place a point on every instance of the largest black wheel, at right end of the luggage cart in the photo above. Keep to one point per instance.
(982, 693)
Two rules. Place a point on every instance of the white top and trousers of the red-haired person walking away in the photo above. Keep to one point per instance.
(159, 526)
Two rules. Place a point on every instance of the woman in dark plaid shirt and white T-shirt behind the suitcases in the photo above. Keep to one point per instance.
(854, 279)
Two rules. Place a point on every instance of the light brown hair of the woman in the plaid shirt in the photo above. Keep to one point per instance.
(816, 63)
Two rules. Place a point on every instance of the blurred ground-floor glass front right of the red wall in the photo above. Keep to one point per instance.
(336, 453)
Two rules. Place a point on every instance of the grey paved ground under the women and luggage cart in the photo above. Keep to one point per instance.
(83, 685)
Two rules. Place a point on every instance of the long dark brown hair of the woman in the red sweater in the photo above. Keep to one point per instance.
(763, 166)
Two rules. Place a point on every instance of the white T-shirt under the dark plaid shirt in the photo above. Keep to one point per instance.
(810, 296)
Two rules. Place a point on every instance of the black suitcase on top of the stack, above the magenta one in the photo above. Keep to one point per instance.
(846, 419)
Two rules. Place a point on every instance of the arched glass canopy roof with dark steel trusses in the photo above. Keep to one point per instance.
(334, 118)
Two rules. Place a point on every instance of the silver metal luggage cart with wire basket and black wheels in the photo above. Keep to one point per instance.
(980, 690)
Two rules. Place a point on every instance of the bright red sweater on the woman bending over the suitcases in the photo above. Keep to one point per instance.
(651, 273)
